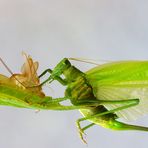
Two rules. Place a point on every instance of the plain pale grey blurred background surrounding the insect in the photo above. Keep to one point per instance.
(51, 30)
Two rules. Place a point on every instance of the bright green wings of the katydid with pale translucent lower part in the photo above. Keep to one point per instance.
(121, 81)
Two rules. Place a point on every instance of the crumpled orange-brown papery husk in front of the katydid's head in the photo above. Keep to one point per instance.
(28, 79)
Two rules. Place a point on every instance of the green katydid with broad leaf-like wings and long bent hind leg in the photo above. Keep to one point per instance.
(110, 91)
